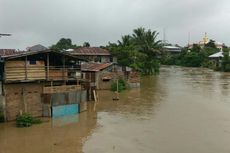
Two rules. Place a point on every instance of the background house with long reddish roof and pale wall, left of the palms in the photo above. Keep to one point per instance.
(93, 54)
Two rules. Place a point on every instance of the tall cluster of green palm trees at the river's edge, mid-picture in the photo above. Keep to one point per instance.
(140, 50)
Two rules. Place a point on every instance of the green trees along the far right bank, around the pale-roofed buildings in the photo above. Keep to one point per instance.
(199, 57)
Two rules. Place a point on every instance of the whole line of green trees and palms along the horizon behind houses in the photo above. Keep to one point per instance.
(143, 52)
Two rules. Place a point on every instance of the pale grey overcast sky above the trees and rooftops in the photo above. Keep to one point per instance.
(99, 21)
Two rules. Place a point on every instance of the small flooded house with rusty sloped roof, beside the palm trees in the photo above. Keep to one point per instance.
(102, 75)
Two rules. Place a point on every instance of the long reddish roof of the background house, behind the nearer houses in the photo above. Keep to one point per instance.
(90, 51)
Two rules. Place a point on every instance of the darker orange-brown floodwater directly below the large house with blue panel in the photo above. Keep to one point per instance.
(62, 135)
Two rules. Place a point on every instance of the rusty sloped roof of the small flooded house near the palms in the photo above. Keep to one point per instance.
(95, 66)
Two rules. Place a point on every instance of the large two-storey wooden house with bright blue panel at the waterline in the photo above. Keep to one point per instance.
(42, 83)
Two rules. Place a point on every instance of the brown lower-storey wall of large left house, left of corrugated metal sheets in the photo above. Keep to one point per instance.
(23, 98)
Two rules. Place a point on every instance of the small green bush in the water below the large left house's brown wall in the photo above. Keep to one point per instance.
(26, 120)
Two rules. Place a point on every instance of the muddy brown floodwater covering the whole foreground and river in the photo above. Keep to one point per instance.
(181, 110)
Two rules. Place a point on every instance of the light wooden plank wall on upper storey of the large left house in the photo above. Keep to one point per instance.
(16, 70)
